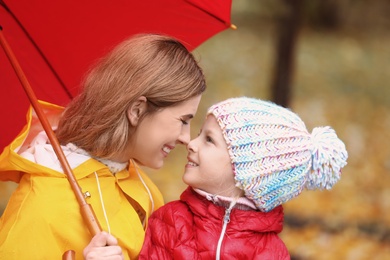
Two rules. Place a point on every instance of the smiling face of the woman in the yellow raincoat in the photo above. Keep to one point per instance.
(158, 134)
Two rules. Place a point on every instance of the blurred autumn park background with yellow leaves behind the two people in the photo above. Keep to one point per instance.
(328, 60)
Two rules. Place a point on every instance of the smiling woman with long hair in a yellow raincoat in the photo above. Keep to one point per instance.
(135, 106)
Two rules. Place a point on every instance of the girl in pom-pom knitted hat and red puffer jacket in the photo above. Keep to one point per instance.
(250, 157)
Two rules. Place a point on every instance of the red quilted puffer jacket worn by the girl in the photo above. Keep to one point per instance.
(190, 229)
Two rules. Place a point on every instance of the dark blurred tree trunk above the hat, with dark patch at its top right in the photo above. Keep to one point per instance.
(324, 14)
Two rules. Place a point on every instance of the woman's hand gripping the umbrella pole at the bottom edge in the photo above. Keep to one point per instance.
(103, 246)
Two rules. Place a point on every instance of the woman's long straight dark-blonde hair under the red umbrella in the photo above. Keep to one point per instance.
(155, 66)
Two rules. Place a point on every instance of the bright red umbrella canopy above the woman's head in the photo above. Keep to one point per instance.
(56, 42)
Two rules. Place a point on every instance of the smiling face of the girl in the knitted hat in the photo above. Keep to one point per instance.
(209, 167)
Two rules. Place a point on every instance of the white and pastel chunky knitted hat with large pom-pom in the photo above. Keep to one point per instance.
(274, 157)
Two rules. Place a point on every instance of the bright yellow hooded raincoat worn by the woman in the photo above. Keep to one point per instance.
(42, 219)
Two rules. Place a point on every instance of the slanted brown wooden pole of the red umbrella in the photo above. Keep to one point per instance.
(86, 209)
